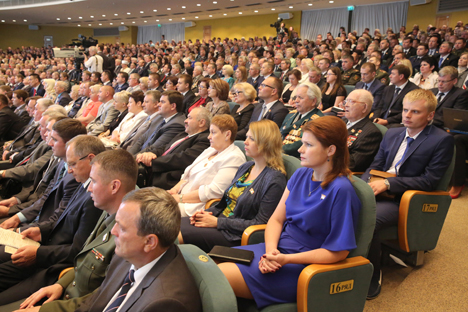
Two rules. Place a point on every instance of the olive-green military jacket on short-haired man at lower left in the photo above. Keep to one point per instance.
(90, 268)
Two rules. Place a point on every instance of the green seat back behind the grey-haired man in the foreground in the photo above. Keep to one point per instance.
(215, 292)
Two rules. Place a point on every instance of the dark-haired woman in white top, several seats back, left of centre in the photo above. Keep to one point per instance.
(134, 118)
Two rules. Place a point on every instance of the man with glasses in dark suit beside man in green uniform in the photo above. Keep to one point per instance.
(61, 237)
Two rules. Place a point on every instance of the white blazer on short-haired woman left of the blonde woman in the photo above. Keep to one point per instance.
(210, 177)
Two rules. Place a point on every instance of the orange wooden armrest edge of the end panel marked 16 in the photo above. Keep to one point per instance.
(311, 270)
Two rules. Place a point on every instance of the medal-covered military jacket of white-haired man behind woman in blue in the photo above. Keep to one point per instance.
(292, 131)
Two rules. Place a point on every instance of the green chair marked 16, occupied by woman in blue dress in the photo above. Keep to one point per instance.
(341, 286)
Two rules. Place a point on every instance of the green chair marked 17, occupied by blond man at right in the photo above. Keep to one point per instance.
(421, 218)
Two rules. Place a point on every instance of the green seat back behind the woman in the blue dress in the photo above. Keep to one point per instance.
(366, 222)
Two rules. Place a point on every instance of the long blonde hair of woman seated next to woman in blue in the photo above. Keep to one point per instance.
(268, 138)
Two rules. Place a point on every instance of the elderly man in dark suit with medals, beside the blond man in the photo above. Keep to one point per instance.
(363, 136)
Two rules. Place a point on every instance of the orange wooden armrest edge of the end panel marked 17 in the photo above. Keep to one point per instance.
(403, 214)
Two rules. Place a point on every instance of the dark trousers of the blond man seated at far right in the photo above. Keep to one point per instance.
(387, 215)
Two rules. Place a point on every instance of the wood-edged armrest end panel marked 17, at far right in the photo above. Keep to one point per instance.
(421, 217)
